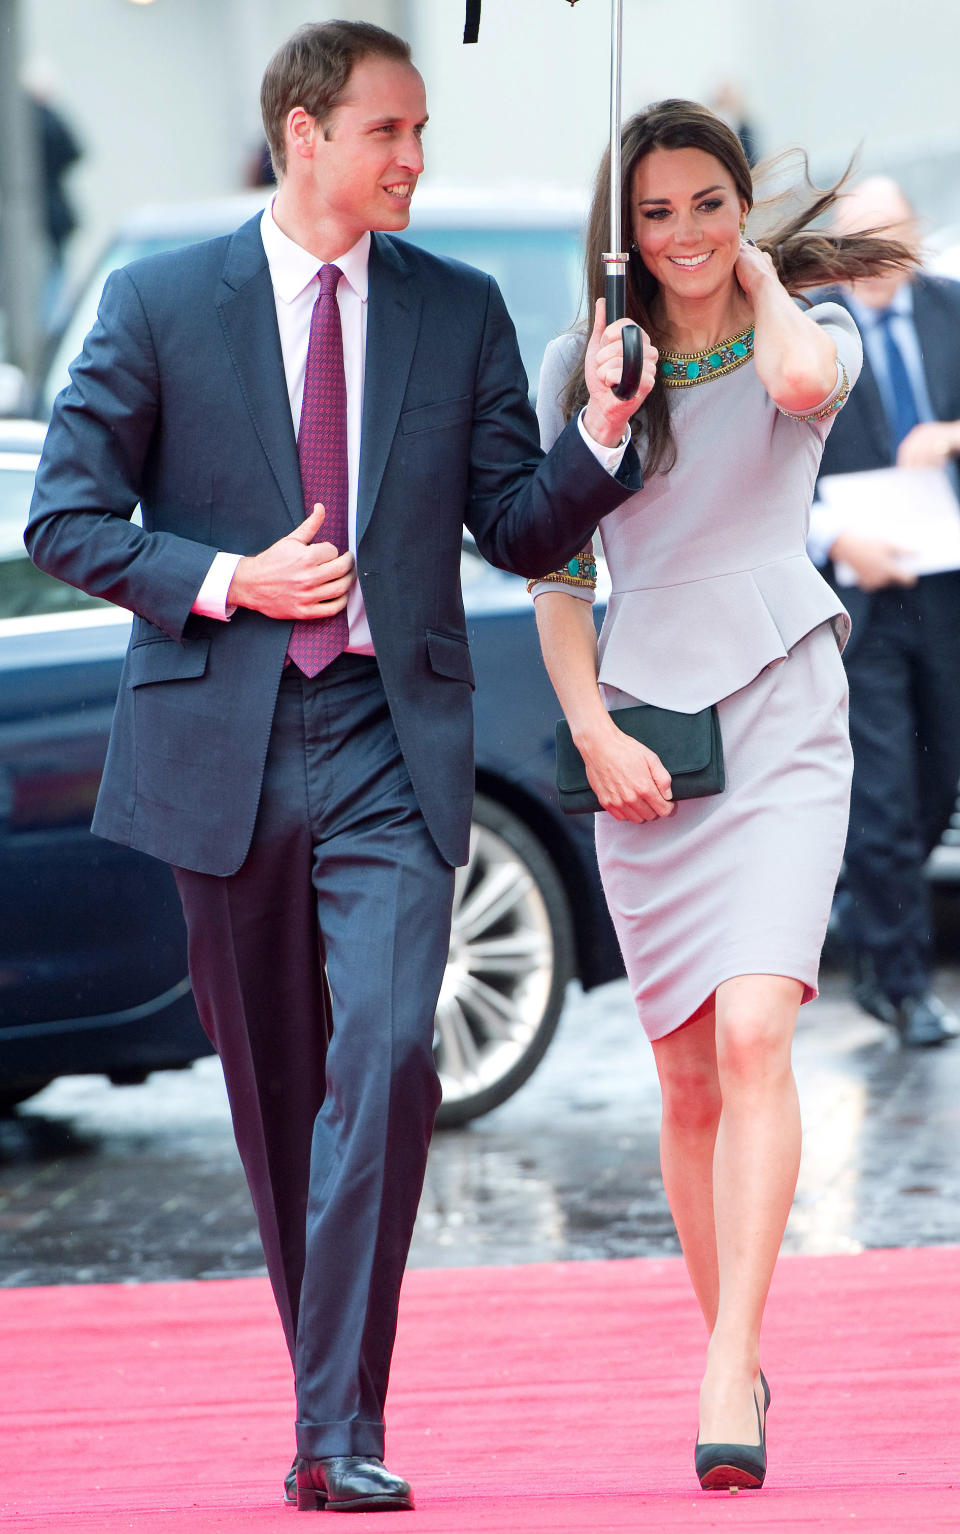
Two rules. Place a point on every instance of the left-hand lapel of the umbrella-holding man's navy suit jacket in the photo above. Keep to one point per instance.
(248, 315)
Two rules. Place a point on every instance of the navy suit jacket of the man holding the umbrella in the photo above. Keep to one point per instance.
(179, 403)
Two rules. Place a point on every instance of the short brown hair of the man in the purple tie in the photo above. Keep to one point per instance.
(312, 70)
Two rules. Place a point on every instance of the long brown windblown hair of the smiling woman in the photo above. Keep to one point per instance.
(803, 257)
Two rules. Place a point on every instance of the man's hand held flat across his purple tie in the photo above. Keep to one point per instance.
(295, 578)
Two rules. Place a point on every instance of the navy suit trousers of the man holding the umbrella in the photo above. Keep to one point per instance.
(334, 1105)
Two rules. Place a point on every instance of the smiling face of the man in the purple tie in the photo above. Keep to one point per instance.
(366, 162)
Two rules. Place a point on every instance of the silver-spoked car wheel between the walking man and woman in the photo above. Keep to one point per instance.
(508, 969)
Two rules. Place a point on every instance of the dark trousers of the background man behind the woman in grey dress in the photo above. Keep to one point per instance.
(906, 731)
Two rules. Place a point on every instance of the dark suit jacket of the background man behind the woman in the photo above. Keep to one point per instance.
(860, 438)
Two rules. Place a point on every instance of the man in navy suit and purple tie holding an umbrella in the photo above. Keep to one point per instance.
(315, 817)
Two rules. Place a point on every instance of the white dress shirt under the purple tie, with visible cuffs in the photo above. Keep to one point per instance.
(295, 278)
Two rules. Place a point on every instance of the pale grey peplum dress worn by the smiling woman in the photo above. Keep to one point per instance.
(715, 601)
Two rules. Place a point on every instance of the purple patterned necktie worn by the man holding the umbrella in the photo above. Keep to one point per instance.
(323, 449)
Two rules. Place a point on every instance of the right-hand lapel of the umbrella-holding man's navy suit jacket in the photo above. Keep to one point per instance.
(393, 324)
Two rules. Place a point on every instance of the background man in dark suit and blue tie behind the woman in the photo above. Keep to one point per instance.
(904, 656)
